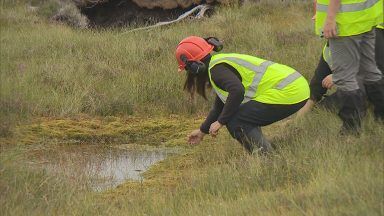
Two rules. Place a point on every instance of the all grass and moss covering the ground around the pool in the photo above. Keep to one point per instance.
(60, 84)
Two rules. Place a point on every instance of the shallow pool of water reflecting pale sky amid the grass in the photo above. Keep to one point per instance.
(102, 167)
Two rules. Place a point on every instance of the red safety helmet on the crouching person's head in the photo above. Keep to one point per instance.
(194, 48)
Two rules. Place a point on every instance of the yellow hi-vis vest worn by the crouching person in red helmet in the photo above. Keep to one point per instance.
(263, 81)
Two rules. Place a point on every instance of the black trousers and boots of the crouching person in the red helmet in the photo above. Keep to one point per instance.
(245, 125)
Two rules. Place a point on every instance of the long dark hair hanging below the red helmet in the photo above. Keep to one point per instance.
(198, 82)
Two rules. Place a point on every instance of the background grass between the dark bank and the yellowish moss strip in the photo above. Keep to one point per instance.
(111, 72)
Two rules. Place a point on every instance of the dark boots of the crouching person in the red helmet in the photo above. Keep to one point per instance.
(255, 140)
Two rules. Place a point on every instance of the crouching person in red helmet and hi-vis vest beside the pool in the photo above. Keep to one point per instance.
(251, 92)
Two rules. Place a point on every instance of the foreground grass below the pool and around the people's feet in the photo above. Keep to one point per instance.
(312, 172)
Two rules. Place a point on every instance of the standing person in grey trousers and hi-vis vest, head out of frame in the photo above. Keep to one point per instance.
(348, 26)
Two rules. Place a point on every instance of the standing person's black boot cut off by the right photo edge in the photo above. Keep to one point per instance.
(375, 93)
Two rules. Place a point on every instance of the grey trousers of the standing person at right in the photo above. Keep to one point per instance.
(354, 56)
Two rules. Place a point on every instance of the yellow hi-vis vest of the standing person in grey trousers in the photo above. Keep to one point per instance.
(353, 17)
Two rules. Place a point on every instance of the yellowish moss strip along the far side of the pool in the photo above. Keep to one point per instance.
(164, 131)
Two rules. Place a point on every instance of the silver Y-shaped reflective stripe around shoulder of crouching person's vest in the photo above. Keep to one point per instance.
(259, 70)
